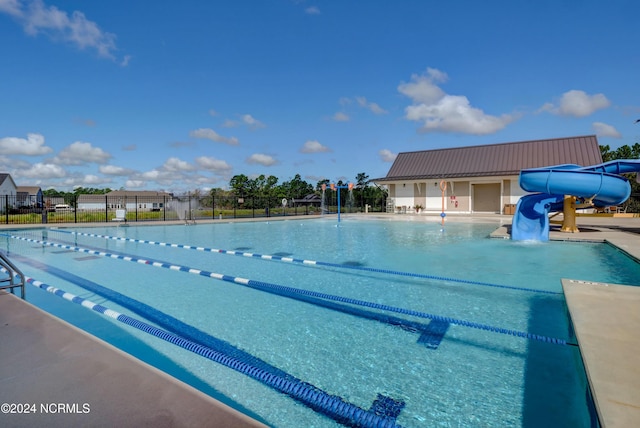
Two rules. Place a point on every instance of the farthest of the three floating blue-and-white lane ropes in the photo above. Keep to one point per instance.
(310, 262)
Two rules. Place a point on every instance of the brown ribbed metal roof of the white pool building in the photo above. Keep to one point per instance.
(494, 159)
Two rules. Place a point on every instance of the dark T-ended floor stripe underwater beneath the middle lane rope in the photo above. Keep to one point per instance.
(431, 334)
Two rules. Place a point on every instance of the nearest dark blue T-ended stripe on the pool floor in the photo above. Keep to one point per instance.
(383, 412)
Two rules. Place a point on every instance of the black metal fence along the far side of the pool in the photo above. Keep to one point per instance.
(188, 208)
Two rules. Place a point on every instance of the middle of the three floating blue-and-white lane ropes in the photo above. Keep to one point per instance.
(260, 285)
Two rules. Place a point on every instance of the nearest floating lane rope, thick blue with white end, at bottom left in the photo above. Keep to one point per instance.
(318, 400)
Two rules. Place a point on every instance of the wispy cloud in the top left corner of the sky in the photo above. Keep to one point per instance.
(38, 18)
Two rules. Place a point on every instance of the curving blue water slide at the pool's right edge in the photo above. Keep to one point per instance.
(601, 184)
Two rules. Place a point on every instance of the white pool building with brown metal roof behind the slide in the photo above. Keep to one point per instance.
(477, 178)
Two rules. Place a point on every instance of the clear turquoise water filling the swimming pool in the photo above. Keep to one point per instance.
(394, 363)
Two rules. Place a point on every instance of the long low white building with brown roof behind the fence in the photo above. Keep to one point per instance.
(143, 200)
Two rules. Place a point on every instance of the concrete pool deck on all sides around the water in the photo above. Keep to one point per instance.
(47, 361)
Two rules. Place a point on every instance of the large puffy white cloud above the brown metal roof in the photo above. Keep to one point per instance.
(440, 112)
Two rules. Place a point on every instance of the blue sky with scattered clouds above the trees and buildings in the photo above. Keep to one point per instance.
(179, 96)
